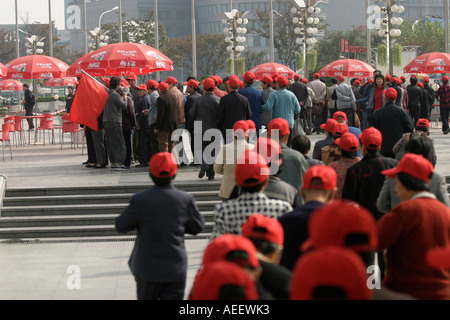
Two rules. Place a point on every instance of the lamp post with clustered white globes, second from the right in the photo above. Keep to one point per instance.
(305, 22)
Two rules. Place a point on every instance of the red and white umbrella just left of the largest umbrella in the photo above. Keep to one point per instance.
(36, 67)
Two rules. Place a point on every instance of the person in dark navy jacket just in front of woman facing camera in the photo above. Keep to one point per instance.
(392, 121)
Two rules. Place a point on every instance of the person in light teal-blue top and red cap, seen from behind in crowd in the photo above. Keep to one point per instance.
(283, 104)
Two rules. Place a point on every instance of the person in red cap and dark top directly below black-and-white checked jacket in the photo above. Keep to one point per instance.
(267, 235)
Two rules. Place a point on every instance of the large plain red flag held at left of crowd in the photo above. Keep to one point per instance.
(90, 99)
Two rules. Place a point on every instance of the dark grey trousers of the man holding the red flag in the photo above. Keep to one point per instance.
(115, 143)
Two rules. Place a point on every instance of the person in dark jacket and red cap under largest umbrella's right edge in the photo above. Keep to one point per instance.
(166, 119)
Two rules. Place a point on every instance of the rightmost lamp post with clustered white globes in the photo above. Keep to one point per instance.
(388, 26)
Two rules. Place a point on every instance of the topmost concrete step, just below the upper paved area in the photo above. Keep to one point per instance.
(91, 199)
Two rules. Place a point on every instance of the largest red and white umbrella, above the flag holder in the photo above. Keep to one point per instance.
(125, 58)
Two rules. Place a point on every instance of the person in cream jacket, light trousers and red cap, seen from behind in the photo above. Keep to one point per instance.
(226, 159)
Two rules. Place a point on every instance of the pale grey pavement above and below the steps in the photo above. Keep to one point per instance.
(91, 269)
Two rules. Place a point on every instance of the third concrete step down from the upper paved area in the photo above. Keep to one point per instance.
(69, 220)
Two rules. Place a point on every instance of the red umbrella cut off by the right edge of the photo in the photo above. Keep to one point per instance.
(434, 62)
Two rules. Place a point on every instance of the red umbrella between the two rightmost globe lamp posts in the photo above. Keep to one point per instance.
(347, 68)
